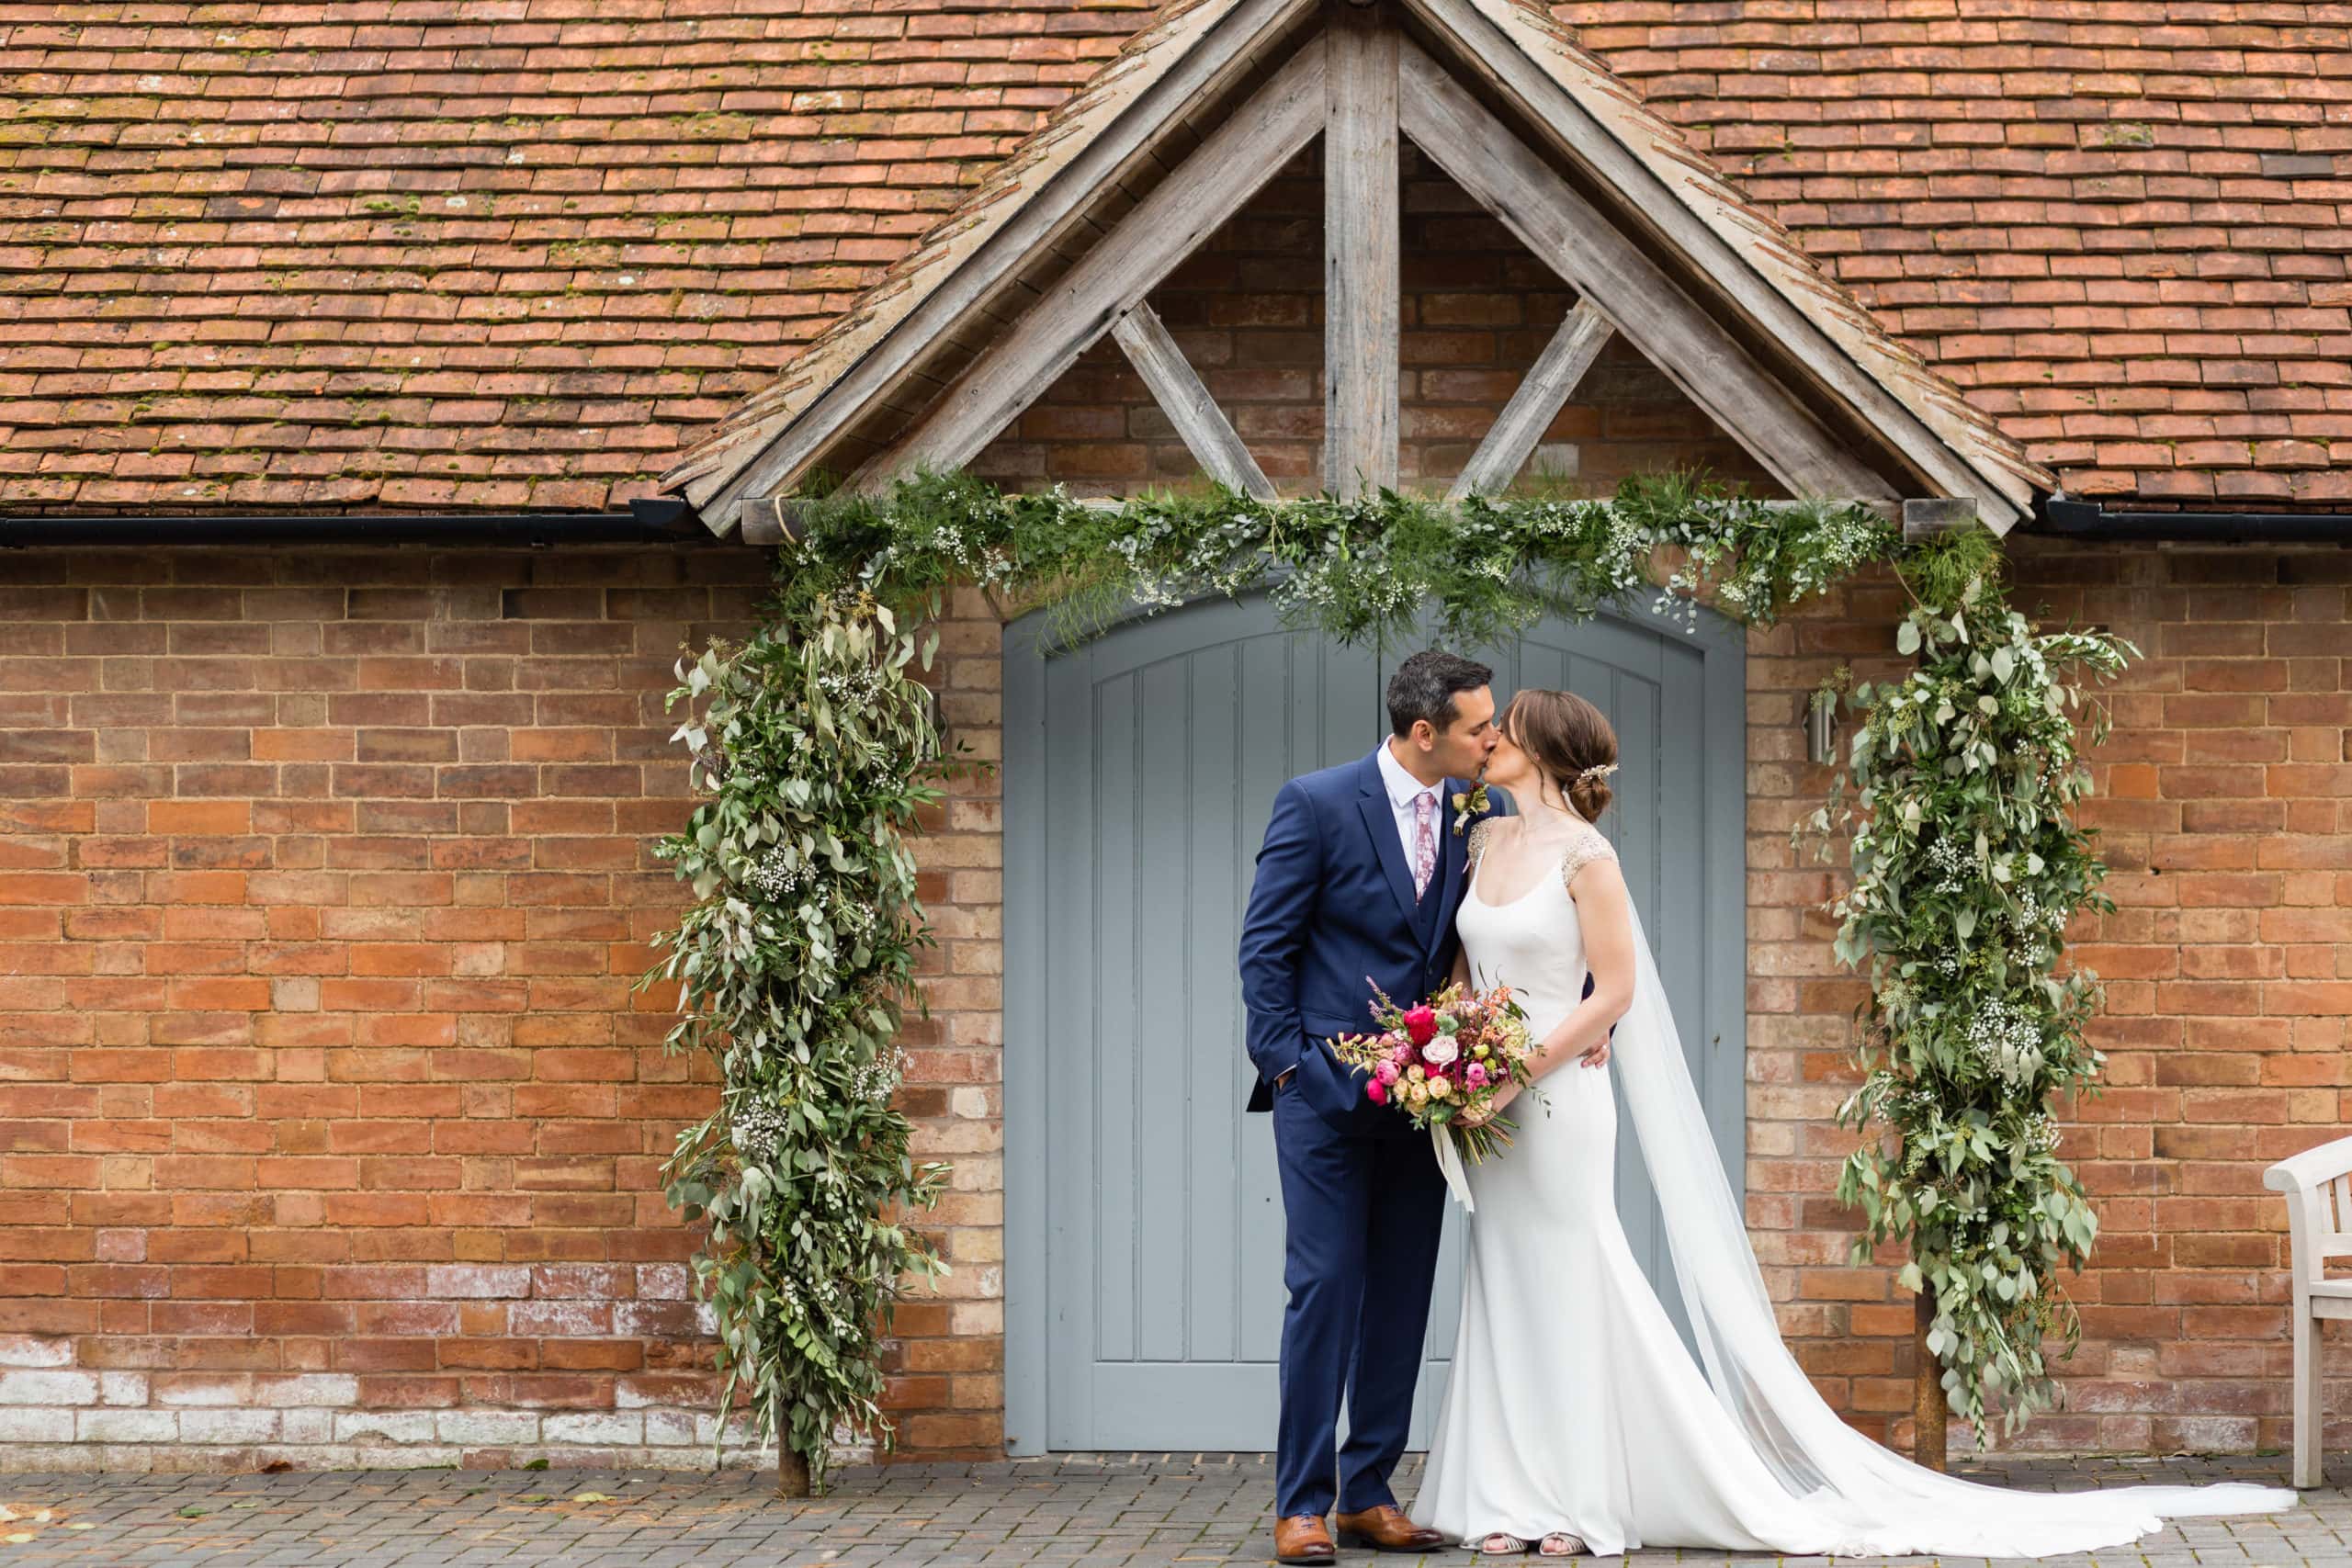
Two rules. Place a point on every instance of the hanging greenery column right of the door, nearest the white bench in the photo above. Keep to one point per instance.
(1967, 871)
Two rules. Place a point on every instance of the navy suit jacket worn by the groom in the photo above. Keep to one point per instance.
(1330, 909)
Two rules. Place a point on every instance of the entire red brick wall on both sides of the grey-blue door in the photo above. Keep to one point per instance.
(330, 1130)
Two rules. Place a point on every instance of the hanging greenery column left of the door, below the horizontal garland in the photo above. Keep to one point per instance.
(794, 967)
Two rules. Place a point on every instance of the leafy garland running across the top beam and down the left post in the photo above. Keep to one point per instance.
(817, 751)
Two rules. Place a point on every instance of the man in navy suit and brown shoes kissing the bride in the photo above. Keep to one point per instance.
(1358, 880)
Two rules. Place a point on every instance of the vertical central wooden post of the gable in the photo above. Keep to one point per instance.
(1363, 286)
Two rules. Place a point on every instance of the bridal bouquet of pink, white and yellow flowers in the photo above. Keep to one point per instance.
(1443, 1059)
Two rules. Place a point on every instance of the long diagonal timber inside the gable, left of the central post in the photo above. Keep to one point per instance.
(1123, 267)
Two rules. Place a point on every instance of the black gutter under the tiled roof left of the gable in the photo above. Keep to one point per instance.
(660, 521)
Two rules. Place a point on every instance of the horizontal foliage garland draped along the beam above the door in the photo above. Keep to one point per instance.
(1354, 570)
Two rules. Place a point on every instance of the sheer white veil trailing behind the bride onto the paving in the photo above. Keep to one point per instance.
(1817, 1456)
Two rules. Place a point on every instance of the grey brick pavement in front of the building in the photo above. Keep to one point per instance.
(1137, 1510)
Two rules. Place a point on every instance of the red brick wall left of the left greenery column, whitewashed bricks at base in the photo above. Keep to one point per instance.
(328, 1123)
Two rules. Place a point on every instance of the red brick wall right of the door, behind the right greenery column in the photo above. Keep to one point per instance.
(2221, 805)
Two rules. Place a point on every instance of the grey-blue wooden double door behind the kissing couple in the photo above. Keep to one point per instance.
(1144, 1219)
